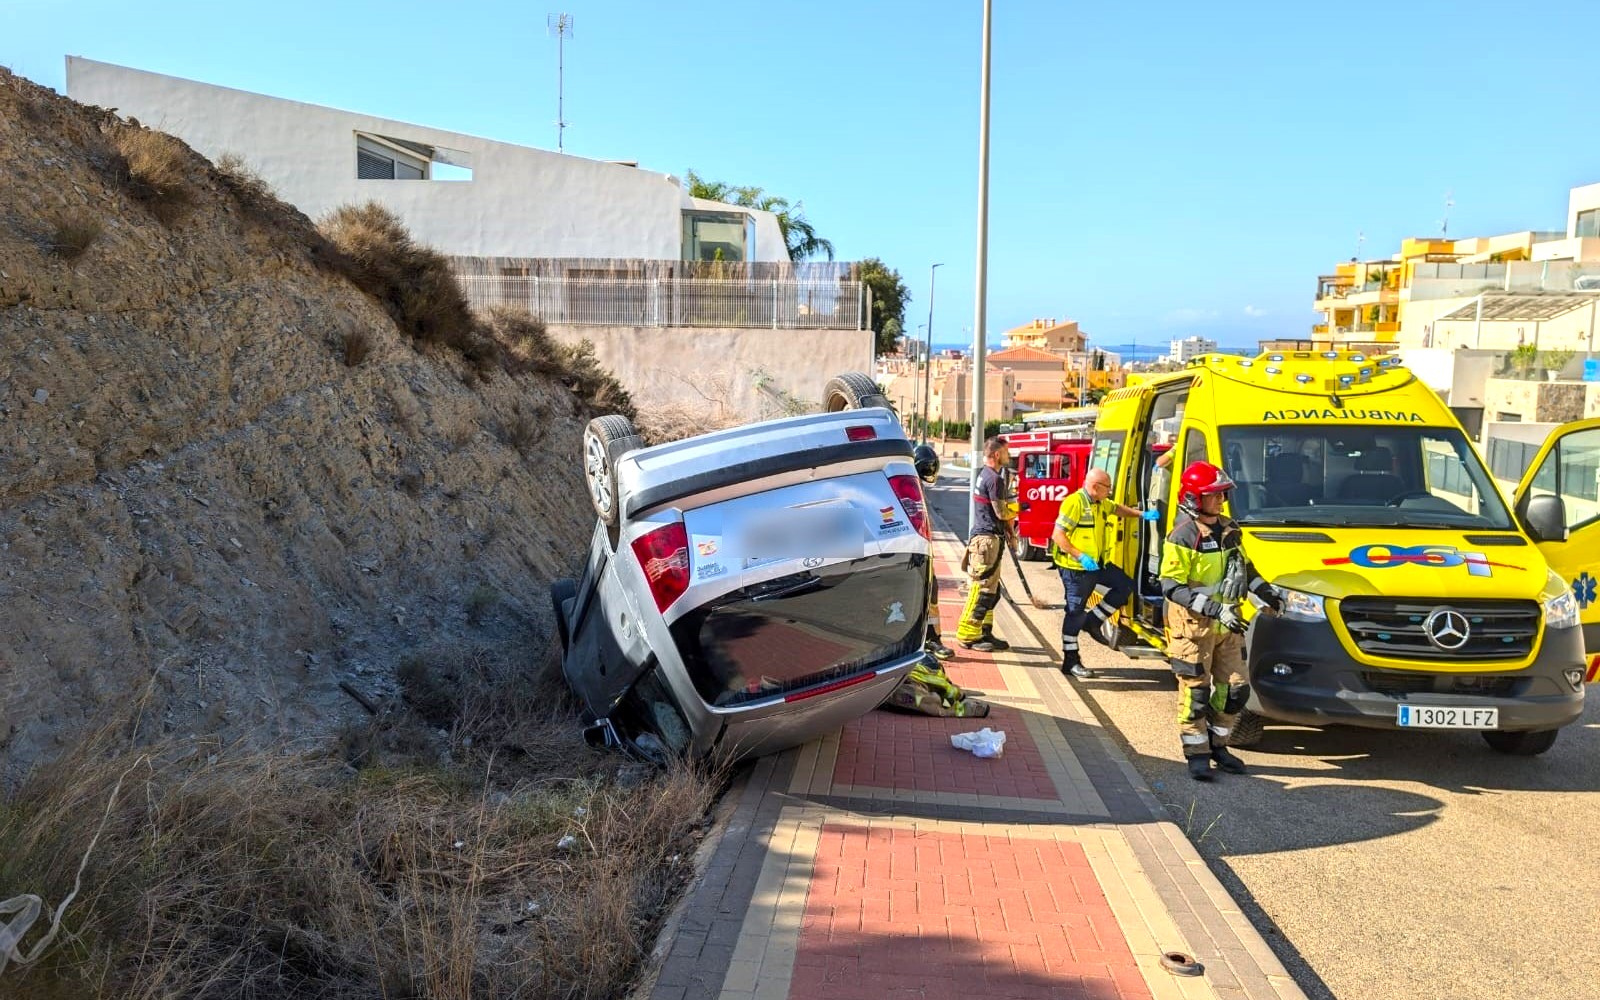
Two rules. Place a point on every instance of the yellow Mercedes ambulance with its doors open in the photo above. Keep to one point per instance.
(1415, 594)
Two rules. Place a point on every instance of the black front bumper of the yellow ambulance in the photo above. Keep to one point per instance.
(1326, 686)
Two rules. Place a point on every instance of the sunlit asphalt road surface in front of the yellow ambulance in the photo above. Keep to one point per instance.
(1378, 865)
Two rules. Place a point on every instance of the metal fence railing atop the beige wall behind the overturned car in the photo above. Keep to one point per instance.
(775, 305)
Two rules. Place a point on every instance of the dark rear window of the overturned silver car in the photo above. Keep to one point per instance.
(806, 628)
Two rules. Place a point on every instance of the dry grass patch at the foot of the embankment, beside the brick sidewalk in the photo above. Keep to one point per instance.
(286, 876)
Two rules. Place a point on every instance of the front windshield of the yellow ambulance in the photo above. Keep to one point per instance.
(1370, 476)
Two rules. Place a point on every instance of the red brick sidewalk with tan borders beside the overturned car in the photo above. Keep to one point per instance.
(886, 865)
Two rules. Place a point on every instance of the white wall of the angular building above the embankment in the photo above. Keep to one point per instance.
(521, 201)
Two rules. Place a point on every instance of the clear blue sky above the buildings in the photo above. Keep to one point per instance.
(1156, 169)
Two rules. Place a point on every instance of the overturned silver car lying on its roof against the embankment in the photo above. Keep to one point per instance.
(750, 590)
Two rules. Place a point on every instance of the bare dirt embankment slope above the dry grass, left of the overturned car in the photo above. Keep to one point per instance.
(228, 479)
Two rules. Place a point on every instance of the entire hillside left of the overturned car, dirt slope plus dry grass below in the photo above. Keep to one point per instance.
(278, 521)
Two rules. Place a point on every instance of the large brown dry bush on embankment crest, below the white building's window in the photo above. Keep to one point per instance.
(412, 282)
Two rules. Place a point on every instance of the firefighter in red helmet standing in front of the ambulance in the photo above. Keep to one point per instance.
(1206, 578)
